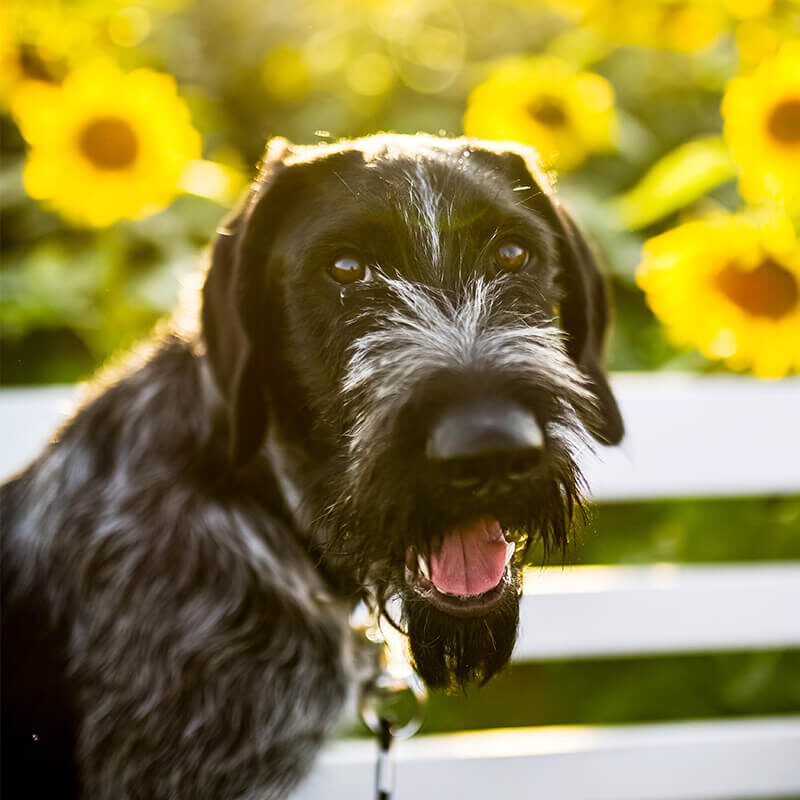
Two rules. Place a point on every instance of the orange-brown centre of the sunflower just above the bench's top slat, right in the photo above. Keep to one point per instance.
(769, 290)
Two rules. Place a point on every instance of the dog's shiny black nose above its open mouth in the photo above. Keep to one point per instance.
(477, 443)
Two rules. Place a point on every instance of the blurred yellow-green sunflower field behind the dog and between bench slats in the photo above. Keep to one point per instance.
(127, 129)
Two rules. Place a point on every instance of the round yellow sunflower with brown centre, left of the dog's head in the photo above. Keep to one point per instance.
(105, 145)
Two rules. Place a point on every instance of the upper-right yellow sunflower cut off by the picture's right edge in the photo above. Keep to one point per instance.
(762, 127)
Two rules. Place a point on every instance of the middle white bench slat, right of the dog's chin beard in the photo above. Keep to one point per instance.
(581, 612)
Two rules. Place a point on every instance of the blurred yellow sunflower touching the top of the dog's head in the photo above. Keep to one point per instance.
(543, 101)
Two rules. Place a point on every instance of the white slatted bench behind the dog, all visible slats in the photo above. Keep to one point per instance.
(688, 436)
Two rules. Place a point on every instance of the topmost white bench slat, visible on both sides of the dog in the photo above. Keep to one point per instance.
(687, 435)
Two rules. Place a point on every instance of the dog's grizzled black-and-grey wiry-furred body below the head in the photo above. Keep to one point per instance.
(204, 655)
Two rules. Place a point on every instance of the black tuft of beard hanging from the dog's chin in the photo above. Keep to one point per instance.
(449, 652)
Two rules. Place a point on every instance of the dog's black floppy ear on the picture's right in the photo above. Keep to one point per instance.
(584, 306)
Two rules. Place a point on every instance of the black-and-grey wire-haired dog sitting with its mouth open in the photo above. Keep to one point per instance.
(399, 354)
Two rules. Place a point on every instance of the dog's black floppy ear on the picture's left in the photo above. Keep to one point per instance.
(235, 314)
